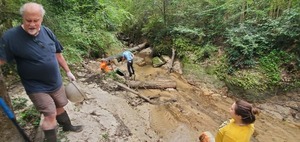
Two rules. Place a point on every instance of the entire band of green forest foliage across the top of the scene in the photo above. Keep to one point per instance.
(260, 35)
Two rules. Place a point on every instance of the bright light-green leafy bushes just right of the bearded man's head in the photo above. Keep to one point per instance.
(87, 28)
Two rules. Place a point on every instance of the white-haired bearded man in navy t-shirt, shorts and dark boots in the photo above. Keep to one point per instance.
(38, 55)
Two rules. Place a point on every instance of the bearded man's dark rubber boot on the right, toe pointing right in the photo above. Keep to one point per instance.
(64, 121)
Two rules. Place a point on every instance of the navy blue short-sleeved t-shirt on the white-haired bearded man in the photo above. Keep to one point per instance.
(35, 57)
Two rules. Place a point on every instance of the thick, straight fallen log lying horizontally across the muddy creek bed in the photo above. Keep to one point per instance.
(155, 84)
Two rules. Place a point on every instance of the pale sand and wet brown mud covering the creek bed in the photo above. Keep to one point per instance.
(113, 115)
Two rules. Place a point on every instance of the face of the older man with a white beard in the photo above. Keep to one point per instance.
(32, 20)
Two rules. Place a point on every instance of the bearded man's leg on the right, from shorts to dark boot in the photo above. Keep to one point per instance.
(62, 117)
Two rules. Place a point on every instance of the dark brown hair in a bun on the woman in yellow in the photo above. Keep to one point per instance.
(246, 111)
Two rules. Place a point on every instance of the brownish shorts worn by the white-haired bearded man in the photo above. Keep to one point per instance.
(46, 103)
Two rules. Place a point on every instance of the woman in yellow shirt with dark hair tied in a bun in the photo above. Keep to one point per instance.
(240, 127)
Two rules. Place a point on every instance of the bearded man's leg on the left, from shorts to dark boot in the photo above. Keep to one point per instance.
(45, 105)
